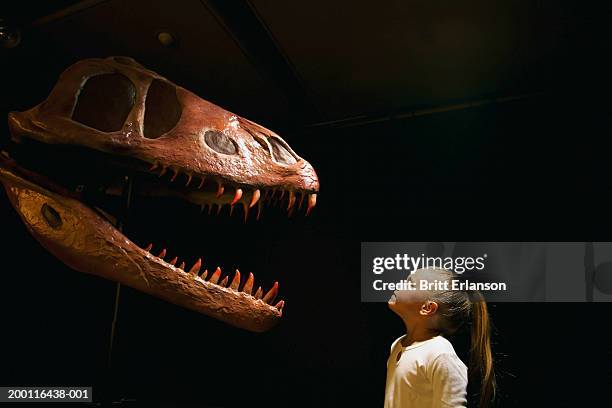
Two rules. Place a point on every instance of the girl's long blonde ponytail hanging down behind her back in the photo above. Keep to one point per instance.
(481, 358)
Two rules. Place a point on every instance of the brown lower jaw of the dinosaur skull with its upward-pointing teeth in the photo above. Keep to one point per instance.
(84, 240)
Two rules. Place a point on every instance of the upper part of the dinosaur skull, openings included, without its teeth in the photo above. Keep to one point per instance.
(200, 140)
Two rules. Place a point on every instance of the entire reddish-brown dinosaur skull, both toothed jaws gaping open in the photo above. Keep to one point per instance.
(210, 156)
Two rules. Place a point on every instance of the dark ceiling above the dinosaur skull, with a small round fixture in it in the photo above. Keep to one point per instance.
(289, 64)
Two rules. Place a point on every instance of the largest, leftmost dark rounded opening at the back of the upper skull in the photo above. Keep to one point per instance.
(104, 102)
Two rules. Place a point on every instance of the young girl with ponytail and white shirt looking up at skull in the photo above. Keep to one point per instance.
(423, 369)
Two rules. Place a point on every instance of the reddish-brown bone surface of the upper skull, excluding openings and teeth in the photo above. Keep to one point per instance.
(182, 147)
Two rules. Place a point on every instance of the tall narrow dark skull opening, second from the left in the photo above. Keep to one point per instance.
(162, 109)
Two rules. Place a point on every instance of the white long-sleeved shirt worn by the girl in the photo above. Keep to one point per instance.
(428, 374)
